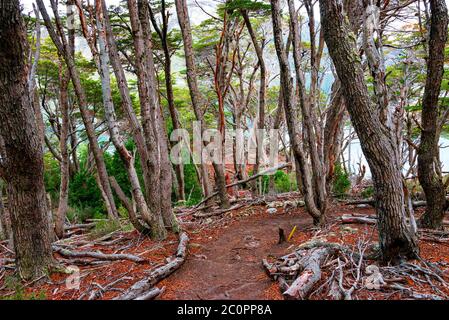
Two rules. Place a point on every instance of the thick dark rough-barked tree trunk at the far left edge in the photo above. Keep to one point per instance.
(23, 167)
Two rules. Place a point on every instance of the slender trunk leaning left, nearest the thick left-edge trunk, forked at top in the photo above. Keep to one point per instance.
(63, 47)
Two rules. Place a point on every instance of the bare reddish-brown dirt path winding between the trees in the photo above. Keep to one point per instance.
(229, 267)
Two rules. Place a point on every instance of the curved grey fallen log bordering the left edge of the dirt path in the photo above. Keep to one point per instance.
(143, 287)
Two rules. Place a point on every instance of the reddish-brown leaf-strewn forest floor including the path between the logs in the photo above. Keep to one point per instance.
(224, 260)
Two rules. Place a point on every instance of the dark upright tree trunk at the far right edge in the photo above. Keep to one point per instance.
(428, 152)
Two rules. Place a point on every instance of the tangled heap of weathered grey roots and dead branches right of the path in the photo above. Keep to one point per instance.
(300, 273)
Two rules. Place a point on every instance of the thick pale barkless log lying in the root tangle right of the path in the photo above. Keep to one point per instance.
(301, 287)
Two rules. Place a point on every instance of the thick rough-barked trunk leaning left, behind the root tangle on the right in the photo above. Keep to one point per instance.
(397, 240)
